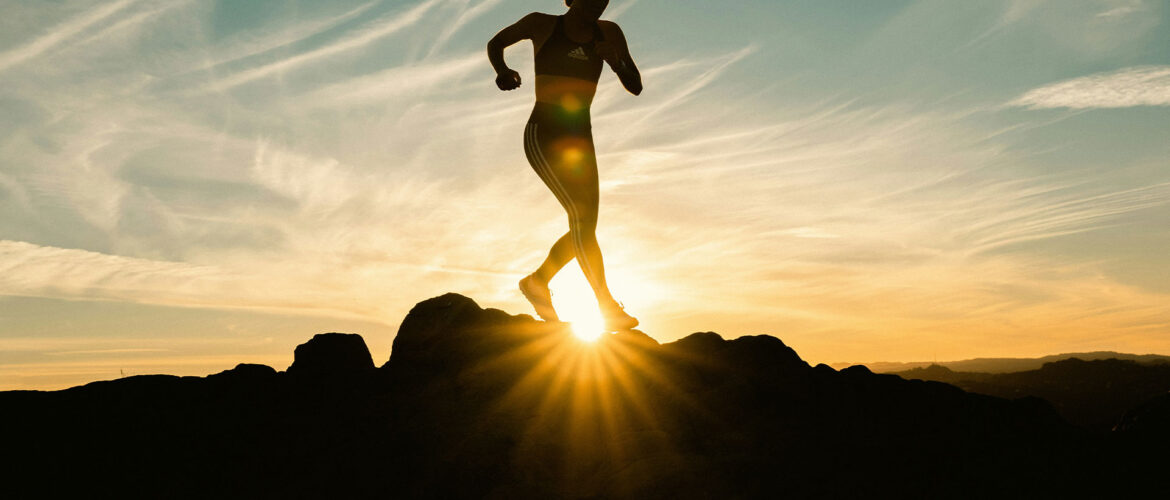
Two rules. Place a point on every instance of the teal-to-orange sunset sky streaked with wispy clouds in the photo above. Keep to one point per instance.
(187, 186)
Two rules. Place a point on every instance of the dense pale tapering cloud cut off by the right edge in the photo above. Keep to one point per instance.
(1131, 87)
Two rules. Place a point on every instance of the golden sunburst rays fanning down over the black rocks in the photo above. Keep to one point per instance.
(601, 400)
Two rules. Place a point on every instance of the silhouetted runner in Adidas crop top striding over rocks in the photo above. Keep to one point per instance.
(559, 140)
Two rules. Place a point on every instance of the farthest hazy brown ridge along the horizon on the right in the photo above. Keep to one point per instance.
(1007, 365)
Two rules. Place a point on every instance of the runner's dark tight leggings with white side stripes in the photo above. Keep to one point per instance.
(561, 152)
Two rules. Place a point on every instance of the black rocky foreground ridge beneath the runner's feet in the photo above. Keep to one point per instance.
(478, 403)
